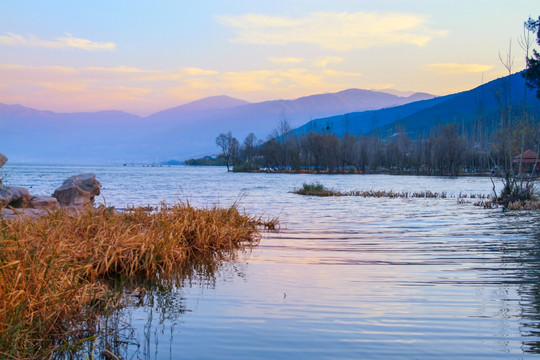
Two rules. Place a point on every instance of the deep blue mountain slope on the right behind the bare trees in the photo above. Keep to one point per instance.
(475, 110)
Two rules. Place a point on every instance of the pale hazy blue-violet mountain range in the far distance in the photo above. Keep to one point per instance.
(30, 135)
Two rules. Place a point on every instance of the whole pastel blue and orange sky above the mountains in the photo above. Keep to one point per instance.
(145, 56)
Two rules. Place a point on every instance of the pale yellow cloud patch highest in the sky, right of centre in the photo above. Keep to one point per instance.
(332, 30)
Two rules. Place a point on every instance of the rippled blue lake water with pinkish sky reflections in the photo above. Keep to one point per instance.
(344, 278)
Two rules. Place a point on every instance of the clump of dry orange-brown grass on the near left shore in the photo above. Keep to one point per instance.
(54, 270)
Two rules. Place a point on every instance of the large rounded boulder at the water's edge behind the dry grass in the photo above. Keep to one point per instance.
(78, 191)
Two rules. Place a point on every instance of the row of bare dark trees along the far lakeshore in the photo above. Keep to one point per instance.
(447, 150)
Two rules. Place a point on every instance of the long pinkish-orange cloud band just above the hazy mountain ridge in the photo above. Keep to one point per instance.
(61, 88)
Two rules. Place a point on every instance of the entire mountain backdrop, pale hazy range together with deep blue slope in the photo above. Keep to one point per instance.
(190, 130)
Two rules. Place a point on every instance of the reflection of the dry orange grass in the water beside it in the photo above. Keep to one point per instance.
(146, 313)
